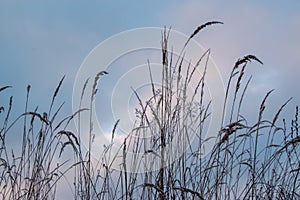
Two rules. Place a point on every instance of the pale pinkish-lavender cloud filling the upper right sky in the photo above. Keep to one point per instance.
(269, 31)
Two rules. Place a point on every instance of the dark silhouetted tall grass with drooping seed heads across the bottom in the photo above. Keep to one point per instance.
(249, 160)
